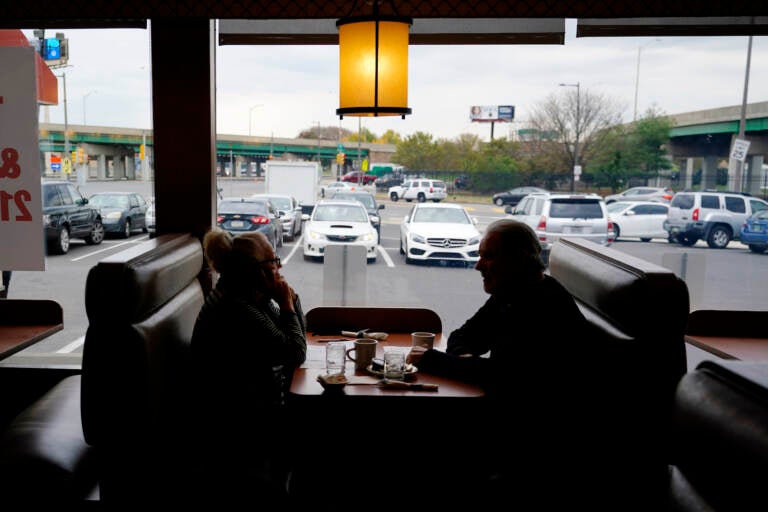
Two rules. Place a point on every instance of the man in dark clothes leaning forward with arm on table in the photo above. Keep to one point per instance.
(524, 346)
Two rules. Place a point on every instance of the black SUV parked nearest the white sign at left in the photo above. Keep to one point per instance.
(67, 215)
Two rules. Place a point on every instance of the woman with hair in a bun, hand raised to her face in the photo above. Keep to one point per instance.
(248, 339)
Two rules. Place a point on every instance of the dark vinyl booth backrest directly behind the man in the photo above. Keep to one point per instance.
(634, 357)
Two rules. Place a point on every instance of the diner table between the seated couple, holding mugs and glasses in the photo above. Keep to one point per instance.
(371, 435)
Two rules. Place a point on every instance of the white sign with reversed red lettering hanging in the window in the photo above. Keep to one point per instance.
(21, 225)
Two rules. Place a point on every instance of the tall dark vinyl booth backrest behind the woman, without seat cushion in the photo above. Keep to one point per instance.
(141, 305)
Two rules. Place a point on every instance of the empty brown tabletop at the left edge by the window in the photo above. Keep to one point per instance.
(24, 322)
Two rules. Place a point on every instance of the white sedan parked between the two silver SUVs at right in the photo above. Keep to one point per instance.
(641, 219)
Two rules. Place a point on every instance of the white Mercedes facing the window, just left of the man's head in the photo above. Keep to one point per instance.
(438, 232)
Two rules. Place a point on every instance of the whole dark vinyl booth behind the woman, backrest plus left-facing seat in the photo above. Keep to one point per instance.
(116, 432)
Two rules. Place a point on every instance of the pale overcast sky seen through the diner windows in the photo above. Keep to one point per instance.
(281, 90)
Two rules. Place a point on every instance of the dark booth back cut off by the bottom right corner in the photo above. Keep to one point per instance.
(720, 438)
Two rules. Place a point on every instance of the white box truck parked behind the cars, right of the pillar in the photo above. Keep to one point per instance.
(298, 179)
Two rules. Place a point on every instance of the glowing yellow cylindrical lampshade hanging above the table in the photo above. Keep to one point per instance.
(373, 66)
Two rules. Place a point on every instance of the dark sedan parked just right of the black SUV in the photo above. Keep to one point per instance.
(122, 212)
